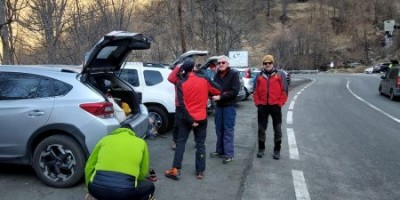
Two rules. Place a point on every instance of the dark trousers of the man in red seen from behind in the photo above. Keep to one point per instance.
(200, 133)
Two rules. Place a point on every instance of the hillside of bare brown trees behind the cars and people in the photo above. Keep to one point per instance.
(301, 34)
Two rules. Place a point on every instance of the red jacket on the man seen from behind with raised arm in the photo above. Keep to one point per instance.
(193, 92)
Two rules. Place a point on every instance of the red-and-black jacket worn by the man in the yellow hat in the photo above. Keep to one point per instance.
(270, 88)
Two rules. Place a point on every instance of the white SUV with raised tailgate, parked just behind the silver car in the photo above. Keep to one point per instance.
(158, 94)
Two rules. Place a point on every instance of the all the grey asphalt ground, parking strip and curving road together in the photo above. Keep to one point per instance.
(340, 141)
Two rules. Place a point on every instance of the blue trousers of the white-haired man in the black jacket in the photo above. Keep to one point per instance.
(225, 119)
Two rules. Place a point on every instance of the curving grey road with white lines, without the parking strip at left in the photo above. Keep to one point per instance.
(341, 142)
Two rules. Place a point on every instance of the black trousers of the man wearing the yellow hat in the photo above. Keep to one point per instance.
(263, 112)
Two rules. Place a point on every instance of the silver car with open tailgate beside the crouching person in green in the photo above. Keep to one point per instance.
(51, 118)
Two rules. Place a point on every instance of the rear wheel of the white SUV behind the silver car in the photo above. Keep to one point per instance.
(159, 117)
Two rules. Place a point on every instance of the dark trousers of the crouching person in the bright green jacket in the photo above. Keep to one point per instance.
(118, 190)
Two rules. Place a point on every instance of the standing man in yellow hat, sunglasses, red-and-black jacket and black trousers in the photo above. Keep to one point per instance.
(270, 94)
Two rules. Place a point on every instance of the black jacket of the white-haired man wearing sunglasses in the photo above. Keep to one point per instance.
(230, 87)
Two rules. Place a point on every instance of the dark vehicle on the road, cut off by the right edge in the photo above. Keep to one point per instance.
(390, 83)
